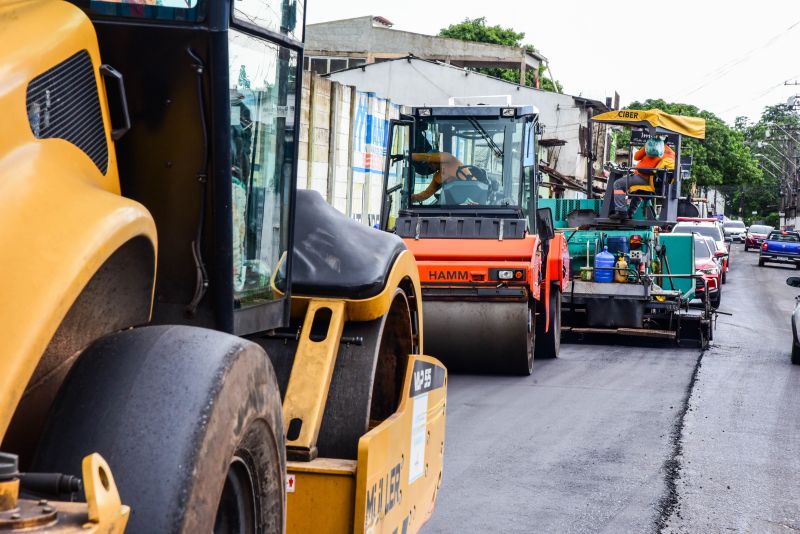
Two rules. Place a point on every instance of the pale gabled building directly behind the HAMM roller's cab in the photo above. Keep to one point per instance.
(568, 145)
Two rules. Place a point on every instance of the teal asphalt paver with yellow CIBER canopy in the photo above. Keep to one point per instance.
(648, 289)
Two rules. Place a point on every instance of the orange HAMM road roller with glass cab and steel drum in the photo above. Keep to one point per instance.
(461, 190)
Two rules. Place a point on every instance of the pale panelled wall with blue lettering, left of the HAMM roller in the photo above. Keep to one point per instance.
(342, 136)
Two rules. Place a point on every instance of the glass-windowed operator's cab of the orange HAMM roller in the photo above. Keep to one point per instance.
(462, 158)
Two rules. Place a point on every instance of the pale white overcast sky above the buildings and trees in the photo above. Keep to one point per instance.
(731, 58)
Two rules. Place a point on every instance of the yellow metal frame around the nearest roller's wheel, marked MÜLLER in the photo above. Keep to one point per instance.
(392, 483)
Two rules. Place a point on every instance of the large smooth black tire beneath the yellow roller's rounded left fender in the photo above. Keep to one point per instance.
(189, 421)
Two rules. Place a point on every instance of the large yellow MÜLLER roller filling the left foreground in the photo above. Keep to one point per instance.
(153, 247)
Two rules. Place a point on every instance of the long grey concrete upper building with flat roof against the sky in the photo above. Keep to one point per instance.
(341, 44)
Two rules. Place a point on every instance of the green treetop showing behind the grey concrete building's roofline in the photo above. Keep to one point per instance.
(477, 30)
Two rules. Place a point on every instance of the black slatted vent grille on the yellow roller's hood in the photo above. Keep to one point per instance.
(63, 104)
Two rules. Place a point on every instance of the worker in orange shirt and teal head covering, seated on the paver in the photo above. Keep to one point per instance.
(655, 154)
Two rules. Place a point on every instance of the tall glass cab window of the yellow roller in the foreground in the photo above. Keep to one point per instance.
(262, 77)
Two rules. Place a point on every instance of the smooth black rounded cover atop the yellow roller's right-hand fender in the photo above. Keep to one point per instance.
(335, 256)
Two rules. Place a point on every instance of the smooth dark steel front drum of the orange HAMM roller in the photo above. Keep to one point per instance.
(480, 337)
